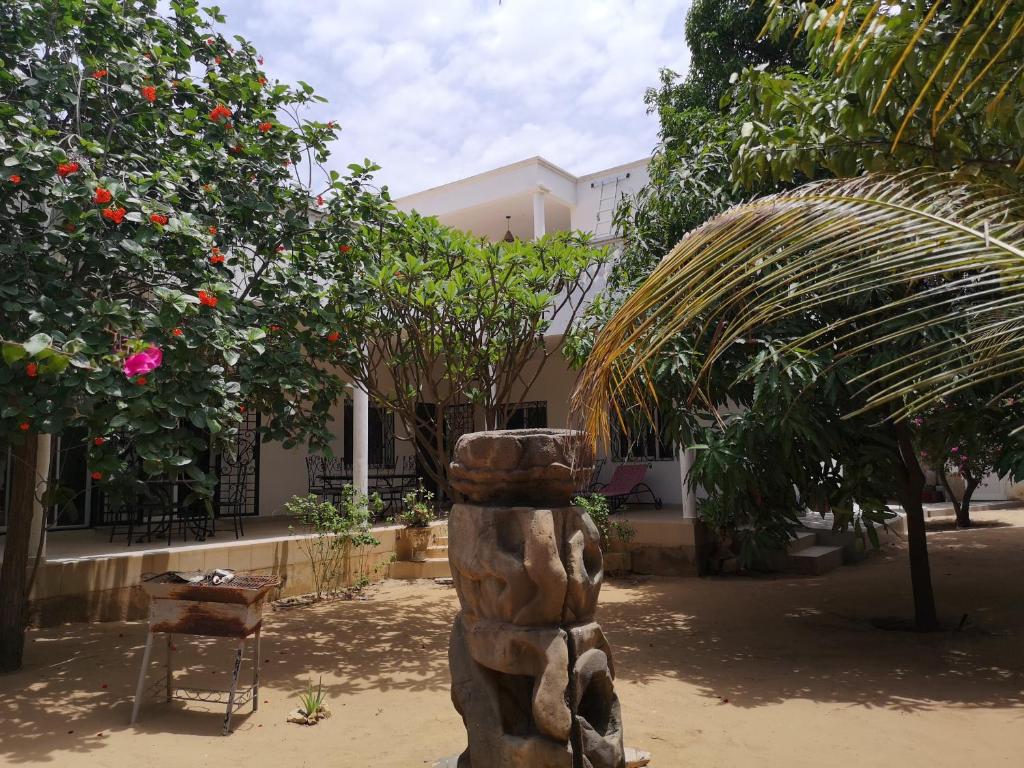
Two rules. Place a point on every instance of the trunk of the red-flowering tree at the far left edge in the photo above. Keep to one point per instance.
(15, 572)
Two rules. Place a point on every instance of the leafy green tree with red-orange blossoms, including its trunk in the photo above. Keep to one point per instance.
(146, 205)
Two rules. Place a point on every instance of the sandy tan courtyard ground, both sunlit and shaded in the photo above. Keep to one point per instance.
(732, 672)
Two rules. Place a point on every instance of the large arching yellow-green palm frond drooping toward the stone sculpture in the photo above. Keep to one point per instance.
(949, 249)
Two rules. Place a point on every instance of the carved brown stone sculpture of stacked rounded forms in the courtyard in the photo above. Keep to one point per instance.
(532, 672)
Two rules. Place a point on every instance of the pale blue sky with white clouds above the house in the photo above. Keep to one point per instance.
(438, 91)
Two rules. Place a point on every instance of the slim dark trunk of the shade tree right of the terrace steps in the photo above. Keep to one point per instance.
(911, 487)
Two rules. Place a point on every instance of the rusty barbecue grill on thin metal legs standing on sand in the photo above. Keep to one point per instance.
(211, 605)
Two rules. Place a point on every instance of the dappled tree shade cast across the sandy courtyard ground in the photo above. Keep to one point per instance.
(752, 642)
